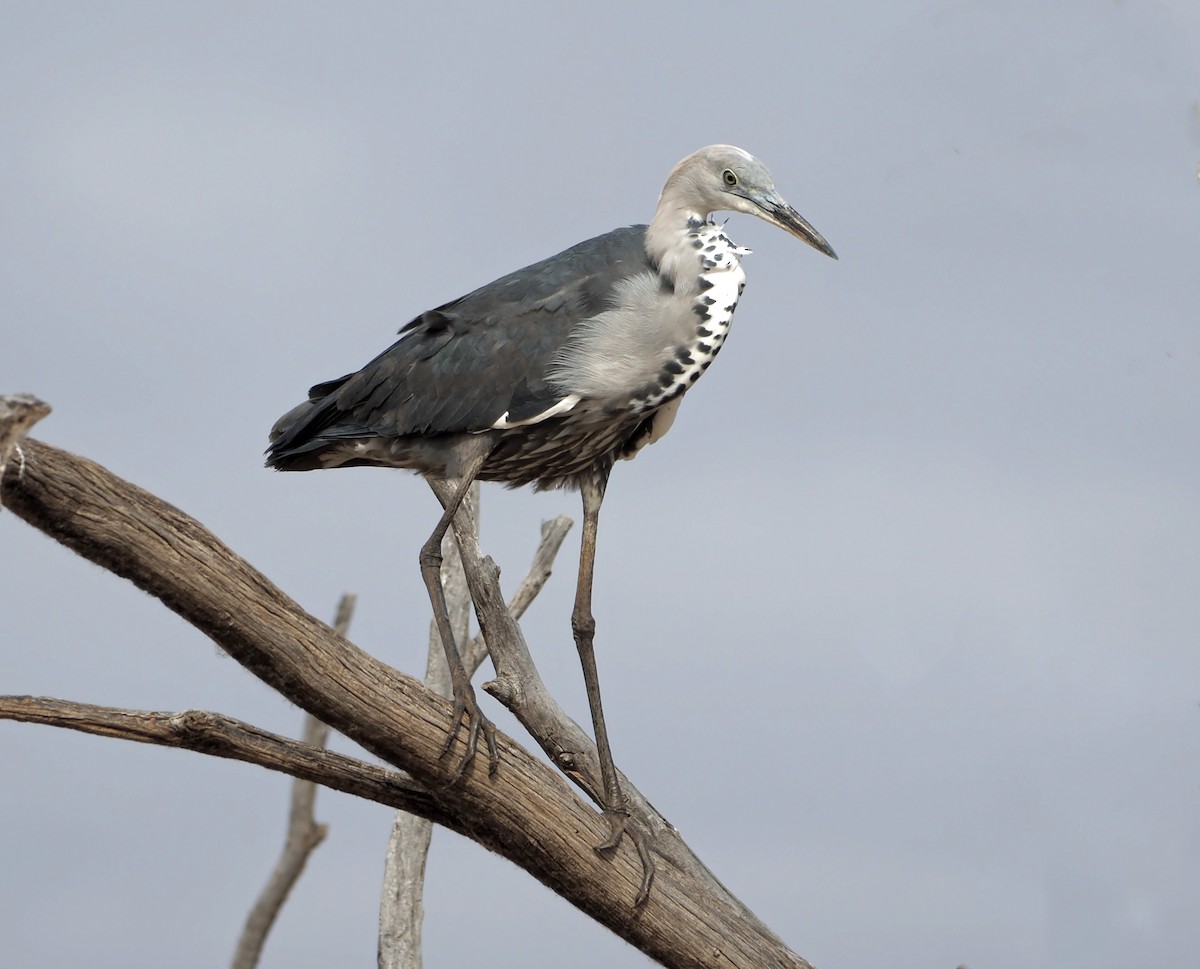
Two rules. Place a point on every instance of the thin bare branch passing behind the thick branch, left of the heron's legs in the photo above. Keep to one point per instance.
(303, 836)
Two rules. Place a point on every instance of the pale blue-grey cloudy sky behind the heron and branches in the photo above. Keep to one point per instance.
(898, 625)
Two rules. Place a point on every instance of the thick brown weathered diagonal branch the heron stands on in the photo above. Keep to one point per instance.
(524, 812)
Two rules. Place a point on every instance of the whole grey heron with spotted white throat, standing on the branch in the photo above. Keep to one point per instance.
(548, 377)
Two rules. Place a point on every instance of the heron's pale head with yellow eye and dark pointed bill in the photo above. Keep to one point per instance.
(727, 179)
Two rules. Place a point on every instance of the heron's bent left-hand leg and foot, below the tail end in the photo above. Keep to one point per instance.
(465, 701)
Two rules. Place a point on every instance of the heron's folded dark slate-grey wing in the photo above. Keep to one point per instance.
(463, 366)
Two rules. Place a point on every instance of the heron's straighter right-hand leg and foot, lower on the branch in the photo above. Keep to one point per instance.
(584, 627)
